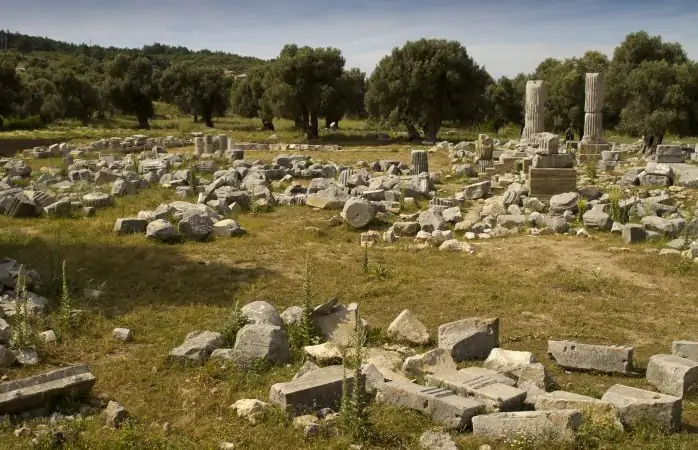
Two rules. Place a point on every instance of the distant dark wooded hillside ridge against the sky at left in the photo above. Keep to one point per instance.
(33, 48)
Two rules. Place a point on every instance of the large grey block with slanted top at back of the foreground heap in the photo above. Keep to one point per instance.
(472, 338)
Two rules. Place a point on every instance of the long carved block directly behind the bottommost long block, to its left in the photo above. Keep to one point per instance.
(443, 406)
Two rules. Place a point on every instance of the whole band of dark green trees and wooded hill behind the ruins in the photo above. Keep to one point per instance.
(651, 86)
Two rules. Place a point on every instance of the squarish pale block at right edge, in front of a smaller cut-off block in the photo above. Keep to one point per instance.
(672, 374)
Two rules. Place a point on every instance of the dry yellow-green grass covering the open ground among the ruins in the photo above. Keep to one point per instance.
(540, 287)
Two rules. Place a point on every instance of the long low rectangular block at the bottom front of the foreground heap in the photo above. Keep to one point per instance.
(561, 424)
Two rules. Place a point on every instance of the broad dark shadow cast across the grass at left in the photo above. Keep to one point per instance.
(131, 276)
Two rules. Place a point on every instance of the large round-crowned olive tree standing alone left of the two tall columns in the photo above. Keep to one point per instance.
(425, 83)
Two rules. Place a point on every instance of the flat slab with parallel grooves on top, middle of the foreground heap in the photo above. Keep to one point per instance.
(496, 395)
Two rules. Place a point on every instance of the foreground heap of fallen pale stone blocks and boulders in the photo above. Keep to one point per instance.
(511, 394)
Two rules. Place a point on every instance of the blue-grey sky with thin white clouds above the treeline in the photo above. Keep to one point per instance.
(506, 36)
